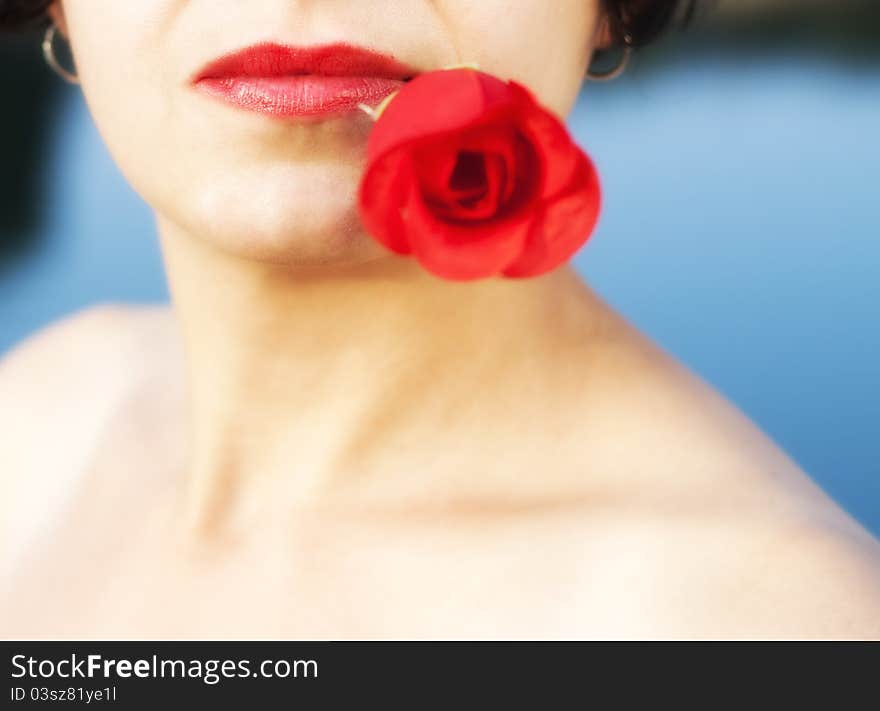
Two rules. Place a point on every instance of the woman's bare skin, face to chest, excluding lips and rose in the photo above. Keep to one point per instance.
(322, 441)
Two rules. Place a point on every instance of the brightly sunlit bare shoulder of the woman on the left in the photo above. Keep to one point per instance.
(60, 388)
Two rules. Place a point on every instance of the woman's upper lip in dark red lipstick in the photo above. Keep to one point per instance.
(271, 59)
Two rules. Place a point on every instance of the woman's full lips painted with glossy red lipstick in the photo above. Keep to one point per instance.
(288, 82)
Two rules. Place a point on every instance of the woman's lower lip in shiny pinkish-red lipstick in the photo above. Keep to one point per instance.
(297, 96)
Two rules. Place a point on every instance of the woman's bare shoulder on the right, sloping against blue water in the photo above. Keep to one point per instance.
(726, 533)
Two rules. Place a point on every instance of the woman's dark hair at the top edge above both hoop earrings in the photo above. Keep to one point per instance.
(635, 22)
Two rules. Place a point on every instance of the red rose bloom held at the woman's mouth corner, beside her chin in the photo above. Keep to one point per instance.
(474, 178)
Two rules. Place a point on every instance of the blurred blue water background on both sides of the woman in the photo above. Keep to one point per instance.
(741, 227)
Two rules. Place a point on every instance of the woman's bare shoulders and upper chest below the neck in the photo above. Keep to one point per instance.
(597, 490)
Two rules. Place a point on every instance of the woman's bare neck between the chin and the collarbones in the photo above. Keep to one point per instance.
(301, 378)
